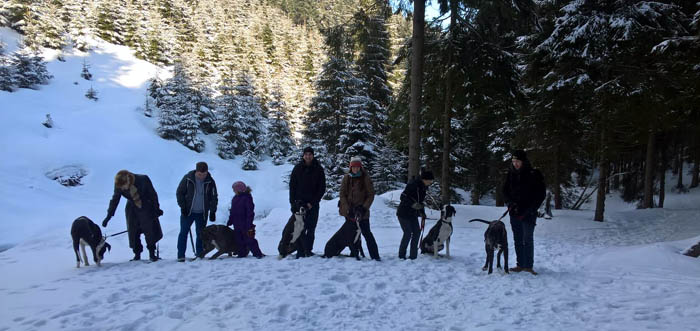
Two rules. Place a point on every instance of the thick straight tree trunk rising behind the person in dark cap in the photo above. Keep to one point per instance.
(416, 87)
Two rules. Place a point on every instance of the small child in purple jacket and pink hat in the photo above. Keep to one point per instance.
(241, 217)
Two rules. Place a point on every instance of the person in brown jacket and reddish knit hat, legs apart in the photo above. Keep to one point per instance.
(356, 196)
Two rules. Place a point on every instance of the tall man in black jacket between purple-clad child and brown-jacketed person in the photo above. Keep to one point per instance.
(307, 185)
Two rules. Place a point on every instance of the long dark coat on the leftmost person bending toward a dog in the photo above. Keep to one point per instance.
(144, 218)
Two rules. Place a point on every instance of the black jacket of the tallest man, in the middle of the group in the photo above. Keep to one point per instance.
(307, 183)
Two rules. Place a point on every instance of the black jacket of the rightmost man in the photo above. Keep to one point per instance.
(524, 190)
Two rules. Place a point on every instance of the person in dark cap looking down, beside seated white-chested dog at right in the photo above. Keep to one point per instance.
(410, 207)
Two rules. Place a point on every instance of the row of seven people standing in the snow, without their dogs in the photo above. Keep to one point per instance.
(197, 198)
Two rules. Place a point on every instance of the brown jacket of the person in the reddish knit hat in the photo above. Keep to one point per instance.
(356, 191)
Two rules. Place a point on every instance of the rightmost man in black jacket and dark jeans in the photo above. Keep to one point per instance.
(524, 191)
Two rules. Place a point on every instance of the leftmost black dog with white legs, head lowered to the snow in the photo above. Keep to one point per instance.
(86, 233)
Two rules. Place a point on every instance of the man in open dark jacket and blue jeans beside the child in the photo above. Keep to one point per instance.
(197, 198)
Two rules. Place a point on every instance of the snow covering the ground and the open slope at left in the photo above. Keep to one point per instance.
(624, 274)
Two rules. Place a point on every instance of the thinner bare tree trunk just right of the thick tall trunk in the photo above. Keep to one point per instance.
(447, 111)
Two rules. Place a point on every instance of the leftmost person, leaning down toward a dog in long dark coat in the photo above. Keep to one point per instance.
(142, 211)
